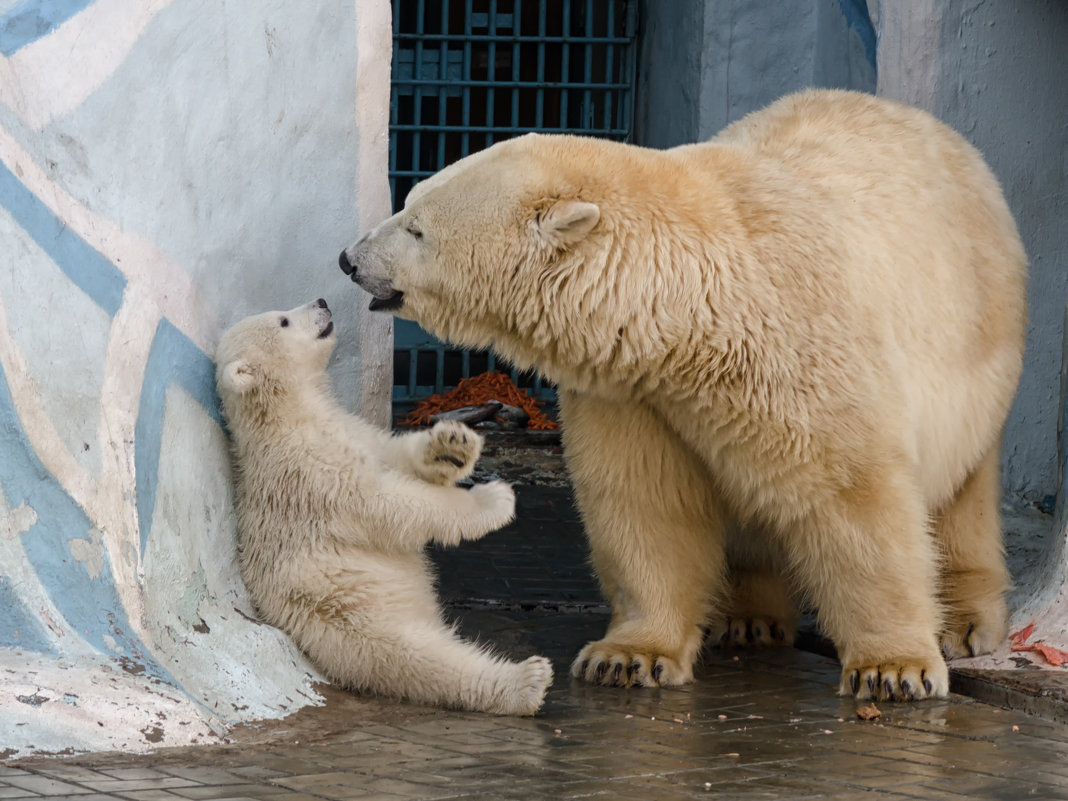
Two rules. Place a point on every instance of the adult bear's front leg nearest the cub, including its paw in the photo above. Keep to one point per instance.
(656, 538)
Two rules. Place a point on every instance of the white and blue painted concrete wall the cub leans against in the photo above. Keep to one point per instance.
(167, 167)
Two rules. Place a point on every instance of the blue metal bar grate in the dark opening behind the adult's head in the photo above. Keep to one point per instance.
(472, 73)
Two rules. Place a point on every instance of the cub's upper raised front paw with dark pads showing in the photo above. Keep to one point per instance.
(444, 456)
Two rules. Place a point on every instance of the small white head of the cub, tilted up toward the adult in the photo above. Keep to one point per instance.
(269, 355)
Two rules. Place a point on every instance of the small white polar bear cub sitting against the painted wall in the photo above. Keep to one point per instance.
(334, 515)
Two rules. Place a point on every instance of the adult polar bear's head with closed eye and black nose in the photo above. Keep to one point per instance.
(481, 247)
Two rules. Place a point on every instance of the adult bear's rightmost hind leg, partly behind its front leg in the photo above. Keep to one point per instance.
(975, 576)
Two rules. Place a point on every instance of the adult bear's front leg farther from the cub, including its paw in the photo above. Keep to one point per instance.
(870, 566)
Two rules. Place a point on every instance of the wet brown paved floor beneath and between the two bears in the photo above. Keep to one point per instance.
(755, 725)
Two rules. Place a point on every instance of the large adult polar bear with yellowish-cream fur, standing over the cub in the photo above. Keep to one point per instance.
(796, 344)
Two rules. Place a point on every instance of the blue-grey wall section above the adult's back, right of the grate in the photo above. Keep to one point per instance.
(706, 65)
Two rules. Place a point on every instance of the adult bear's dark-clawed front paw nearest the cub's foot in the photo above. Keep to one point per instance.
(618, 665)
